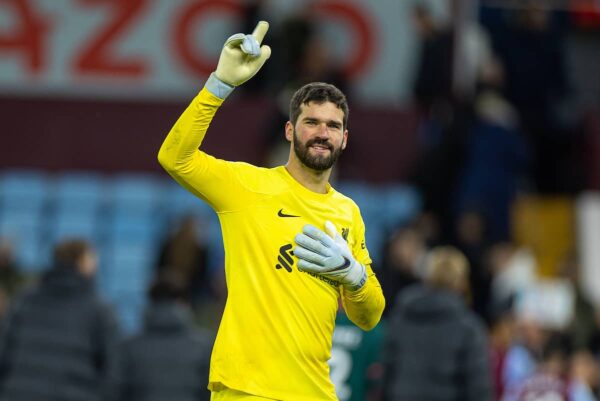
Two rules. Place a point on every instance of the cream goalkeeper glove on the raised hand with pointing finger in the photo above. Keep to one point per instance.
(242, 56)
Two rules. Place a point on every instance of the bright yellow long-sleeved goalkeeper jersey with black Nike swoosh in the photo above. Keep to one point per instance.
(275, 335)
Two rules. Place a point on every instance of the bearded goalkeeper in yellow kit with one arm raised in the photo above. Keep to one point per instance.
(293, 244)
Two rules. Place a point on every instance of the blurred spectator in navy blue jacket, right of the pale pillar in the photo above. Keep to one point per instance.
(496, 157)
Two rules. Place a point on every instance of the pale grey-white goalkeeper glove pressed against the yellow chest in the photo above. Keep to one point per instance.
(328, 255)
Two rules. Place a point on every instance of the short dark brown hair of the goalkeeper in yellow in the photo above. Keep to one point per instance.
(318, 92)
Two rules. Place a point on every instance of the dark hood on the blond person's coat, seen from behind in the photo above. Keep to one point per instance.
(425, 303)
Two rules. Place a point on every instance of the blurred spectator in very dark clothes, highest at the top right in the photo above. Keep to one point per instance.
(530, 41)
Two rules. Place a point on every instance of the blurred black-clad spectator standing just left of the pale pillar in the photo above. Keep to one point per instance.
(442, 119)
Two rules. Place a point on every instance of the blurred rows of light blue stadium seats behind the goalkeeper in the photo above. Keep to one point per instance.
(127, 216)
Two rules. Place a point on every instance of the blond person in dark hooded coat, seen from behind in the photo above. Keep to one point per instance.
(436, 348)
